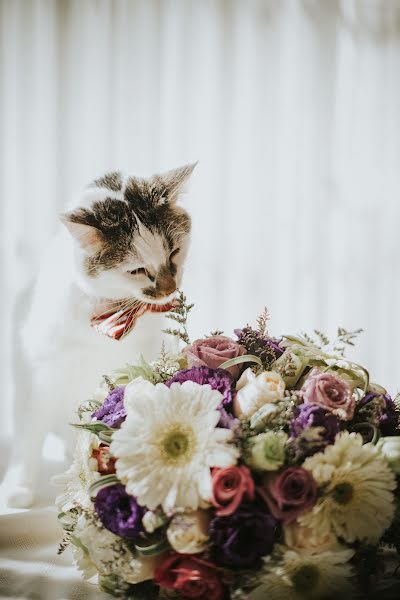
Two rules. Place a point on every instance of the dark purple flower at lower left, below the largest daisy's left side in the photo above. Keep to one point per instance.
(118, 511)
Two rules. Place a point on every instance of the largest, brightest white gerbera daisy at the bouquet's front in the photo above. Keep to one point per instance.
(168, 443)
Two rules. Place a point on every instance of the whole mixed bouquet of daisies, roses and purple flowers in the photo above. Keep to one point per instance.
(239, 469)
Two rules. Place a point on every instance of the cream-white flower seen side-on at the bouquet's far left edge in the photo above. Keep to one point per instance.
(77, 480)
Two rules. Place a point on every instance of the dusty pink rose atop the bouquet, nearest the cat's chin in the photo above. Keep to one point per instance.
(213, 352)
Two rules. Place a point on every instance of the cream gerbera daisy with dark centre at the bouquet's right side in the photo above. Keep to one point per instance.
(357, 501)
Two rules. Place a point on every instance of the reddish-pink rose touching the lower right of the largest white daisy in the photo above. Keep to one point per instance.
(229, 487)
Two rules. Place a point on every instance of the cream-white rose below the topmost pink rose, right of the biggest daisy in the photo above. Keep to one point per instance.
(253, 392)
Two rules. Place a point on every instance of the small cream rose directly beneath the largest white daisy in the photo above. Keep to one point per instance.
(188, 532)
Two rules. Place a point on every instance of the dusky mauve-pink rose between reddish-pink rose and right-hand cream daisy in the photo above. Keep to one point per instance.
(290, 493)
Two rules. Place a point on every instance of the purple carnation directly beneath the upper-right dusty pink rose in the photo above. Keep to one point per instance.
(313, 415)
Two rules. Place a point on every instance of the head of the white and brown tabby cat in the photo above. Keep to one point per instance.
(131, 236)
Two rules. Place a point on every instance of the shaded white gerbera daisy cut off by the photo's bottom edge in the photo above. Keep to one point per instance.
(302, 576)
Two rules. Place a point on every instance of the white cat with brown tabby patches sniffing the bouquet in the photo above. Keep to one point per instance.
(127, 239)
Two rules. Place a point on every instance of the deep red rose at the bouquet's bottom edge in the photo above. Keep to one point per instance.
(191, 577)
